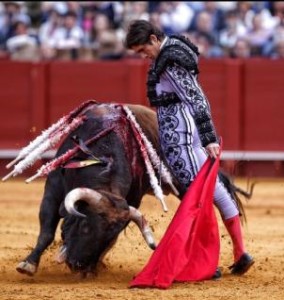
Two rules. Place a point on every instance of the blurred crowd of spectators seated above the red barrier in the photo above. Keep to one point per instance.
(89, 30)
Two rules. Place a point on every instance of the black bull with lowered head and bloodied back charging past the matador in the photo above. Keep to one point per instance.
(98, 201)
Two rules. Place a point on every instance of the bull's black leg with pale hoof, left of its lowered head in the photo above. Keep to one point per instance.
(49, 218)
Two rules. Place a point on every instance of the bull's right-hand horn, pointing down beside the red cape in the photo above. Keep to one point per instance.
(138, 218)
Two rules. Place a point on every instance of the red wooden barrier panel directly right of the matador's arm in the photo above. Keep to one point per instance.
(221, 82)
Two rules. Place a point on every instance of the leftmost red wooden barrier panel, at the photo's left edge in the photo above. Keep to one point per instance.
(22, 99)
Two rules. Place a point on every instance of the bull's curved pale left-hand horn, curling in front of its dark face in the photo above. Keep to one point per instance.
(88, 195)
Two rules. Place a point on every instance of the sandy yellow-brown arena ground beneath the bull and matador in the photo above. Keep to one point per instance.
(264, 236)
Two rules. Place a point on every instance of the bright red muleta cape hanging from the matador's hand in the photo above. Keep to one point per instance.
(189, 249)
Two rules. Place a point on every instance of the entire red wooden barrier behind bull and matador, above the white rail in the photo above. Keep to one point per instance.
(245, 97)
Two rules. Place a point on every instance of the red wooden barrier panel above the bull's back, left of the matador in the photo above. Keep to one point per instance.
(71, 83)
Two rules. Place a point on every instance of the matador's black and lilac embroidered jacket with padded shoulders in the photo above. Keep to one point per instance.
(180, 57)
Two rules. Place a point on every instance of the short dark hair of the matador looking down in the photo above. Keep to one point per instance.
(139, 32)
